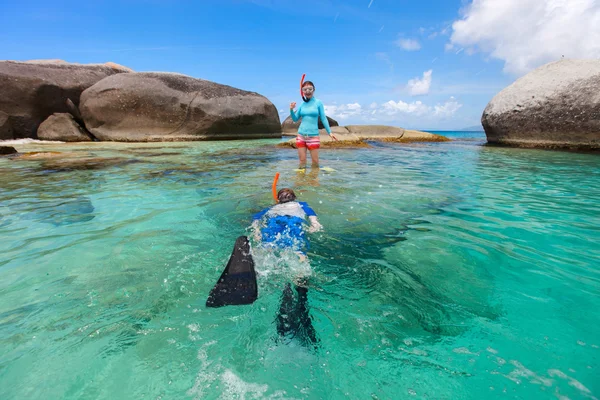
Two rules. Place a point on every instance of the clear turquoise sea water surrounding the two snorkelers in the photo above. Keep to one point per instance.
(445, 271)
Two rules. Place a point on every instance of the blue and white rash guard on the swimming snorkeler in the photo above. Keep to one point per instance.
(284, 224)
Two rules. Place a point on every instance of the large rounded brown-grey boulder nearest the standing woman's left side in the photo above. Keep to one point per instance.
(154, 106)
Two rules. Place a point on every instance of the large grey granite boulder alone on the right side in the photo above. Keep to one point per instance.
(556, 105)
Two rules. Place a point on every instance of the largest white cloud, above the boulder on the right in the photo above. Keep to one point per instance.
(528, 33)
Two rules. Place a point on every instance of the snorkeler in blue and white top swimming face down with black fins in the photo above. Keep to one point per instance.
(281, 226)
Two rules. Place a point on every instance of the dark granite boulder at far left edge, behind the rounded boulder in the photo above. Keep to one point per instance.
(32, 91)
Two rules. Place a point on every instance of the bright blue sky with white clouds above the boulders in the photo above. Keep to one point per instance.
(415, 64)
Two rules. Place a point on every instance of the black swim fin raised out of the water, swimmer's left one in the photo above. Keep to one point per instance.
(237, 284)
